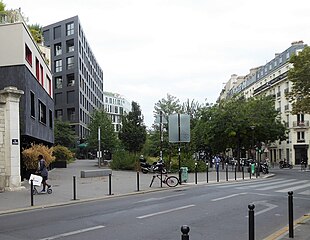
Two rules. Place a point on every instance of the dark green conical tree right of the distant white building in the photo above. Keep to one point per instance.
(133, 132)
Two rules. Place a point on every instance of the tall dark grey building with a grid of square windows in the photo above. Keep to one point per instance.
(77, 77)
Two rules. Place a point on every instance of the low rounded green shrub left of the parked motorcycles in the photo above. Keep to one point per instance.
(123, 160)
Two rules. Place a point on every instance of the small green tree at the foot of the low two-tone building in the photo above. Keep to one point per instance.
(64, 134)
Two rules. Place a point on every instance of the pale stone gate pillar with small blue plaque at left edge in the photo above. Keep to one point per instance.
(9, 139)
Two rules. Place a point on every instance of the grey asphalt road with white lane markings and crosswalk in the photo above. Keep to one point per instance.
(218, 211)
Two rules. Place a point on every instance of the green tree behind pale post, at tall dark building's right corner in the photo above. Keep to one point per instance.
(108, 139)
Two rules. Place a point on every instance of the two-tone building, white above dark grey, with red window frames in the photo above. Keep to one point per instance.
(24, 65)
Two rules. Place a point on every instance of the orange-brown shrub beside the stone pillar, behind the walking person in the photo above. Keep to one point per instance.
(30, 155)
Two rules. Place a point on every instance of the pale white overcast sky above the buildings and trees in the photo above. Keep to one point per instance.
(187, 48)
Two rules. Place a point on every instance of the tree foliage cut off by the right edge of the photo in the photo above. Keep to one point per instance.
(299, 75)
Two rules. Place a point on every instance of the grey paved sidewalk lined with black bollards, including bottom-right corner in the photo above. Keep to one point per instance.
(122, 182)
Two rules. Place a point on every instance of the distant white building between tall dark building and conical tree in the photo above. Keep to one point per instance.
(116, 106)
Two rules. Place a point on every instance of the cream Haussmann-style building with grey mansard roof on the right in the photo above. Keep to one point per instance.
(271, 79)
